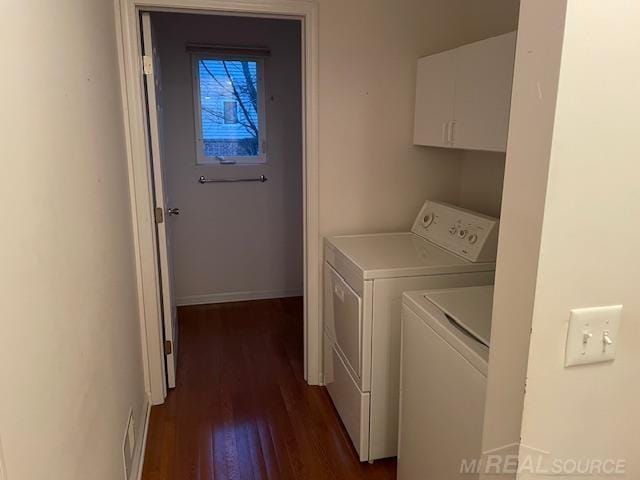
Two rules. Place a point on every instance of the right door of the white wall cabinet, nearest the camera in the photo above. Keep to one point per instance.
(484, 76)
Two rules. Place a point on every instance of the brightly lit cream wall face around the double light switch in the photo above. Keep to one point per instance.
(589, 248)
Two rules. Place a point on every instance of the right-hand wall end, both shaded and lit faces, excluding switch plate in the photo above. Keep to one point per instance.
(569, 234)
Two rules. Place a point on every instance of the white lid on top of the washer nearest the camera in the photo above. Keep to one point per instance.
(469, 307)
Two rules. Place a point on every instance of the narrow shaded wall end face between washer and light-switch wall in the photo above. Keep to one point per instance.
(537, 63)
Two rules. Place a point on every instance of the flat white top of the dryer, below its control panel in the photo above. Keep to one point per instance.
(390, 255)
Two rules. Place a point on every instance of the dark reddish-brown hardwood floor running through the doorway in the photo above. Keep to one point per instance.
(242, 409)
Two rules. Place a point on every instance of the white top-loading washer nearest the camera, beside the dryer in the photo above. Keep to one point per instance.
(444, 361)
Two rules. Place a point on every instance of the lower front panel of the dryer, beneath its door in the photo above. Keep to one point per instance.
(352, 404)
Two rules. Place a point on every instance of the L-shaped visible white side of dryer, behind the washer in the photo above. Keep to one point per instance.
(385, 353)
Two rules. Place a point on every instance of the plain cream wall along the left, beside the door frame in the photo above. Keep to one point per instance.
(70, 361)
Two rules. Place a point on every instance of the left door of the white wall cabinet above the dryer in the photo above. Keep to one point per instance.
(435, 87)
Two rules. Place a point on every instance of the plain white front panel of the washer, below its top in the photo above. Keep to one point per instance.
(442, 410)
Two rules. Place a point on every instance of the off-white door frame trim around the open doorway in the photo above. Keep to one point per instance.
(141, 182)
